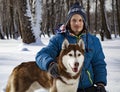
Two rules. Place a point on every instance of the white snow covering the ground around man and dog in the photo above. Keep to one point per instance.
(13, 52)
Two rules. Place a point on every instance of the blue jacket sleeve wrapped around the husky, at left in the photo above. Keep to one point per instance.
(48, 54)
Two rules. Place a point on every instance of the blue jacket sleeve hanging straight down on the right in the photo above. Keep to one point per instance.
(99, 65)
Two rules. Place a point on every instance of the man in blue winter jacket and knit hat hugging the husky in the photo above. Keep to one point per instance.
(94, 70)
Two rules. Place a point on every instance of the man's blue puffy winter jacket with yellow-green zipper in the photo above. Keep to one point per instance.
(94, 70)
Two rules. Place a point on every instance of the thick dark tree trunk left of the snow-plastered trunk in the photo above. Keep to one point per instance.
(25, 25)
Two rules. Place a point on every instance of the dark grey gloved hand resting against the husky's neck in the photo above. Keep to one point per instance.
(53, 70)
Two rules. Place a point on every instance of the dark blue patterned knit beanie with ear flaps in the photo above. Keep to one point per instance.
(76, 9)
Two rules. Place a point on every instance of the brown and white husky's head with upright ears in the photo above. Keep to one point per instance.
(72, 57)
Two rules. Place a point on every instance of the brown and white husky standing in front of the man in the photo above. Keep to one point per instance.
(26, 76)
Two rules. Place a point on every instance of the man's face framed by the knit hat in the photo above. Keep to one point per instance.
(76, 23)
